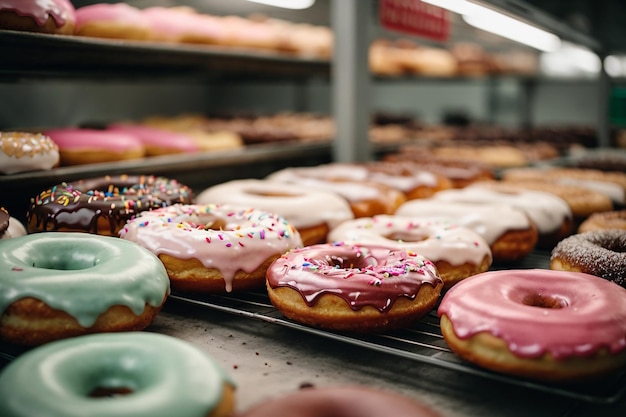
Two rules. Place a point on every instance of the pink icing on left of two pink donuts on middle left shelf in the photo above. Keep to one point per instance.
(75, 139)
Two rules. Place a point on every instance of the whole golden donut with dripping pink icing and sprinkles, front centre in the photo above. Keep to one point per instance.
(359, 288)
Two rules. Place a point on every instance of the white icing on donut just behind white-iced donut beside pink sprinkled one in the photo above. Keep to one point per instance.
(490, 221)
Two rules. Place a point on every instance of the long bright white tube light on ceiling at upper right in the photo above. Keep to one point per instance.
(495, 22)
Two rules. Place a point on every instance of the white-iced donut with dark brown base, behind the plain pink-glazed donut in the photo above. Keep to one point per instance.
(551, 214)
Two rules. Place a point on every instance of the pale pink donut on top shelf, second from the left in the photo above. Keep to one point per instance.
(116, 21)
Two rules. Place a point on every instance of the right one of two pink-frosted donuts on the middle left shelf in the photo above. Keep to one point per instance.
(158, 141)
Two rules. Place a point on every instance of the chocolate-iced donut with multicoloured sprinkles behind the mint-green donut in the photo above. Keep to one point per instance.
(102, 205)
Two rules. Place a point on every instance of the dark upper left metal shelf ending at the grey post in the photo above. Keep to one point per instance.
(35, 55)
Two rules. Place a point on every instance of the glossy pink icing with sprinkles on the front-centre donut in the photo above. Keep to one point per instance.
(361, 275)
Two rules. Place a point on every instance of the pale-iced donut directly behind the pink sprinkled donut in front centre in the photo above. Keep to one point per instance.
(457, 252)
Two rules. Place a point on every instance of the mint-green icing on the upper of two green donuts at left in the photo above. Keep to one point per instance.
(81, 274)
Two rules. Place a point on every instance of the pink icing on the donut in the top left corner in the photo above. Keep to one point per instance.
(40, 10)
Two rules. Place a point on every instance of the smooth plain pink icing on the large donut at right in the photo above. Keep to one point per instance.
(593, 316)
